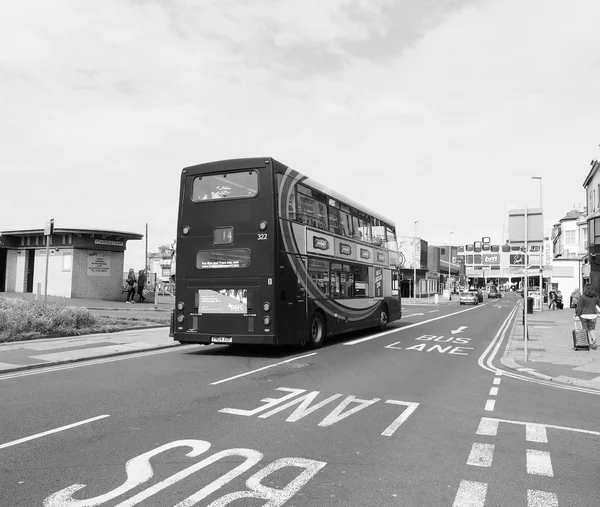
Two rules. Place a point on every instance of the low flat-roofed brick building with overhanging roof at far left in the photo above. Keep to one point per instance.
(82, 263)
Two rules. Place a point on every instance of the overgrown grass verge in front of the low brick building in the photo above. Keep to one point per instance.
(28, 320)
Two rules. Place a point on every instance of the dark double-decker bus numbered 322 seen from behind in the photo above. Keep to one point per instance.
(266, 255)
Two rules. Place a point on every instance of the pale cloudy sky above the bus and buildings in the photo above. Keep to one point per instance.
(439, 111)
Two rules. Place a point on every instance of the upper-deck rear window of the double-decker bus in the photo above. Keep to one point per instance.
(229, 185)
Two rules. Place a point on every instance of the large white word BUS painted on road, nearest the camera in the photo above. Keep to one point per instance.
(139, 471)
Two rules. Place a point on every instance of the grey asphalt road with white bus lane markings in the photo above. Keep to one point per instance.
(421, 415)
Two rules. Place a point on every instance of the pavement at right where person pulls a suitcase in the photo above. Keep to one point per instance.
(550, 352)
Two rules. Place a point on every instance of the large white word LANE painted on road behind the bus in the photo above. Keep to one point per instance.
(305, 407)
